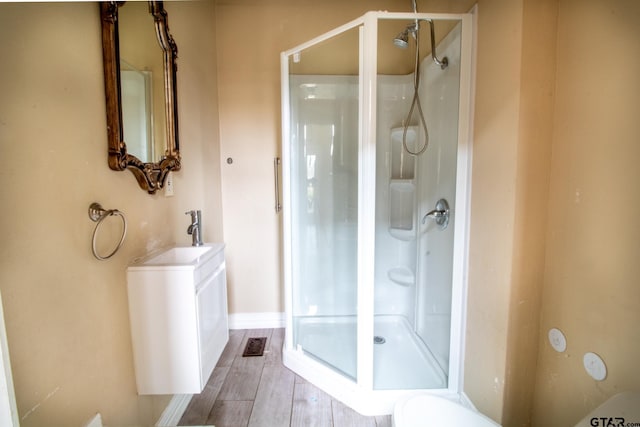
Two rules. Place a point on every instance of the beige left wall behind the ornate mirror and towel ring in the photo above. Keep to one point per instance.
(66, 312)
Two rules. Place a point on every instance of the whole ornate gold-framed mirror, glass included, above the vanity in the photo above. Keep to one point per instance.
(140, 89)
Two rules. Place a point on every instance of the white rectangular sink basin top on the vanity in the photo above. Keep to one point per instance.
(179, 256)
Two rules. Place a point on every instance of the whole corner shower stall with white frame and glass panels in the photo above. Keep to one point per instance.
(375, 167)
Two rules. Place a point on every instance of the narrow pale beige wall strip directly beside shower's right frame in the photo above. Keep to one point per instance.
(493, 201)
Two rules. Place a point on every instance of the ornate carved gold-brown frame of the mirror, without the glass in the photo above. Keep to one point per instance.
(151, 176)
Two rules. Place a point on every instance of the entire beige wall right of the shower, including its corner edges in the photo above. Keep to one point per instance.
(554, 142)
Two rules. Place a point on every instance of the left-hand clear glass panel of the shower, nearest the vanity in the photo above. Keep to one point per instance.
(324, 99)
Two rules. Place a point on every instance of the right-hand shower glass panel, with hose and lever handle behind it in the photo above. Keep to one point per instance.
(413, 258)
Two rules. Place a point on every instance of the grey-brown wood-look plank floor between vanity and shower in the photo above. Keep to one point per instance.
(262, 392)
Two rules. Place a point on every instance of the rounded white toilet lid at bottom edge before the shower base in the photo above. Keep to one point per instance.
(427, 409)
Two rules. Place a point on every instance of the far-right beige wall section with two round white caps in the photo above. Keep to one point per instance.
(592, 272)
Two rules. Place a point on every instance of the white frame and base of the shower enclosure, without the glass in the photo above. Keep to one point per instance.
(360, 394)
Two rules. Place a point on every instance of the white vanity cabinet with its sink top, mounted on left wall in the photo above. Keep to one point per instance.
(178, 317)
